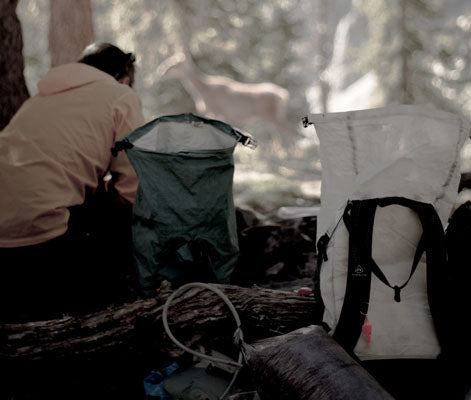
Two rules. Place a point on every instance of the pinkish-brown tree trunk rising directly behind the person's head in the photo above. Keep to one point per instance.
(70, 30)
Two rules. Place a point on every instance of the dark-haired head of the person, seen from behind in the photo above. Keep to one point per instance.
(110, 59)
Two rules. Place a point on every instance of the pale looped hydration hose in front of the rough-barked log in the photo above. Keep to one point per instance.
(238, 334)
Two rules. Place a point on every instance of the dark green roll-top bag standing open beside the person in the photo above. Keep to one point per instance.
(184, 225)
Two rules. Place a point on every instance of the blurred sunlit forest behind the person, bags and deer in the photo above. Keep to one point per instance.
(330, 56)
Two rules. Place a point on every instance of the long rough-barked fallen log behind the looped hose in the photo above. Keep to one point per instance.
(197, 317)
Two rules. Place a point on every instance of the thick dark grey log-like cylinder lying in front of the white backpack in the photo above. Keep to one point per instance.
(308, 364)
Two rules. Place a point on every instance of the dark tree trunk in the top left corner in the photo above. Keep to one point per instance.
(13, 90)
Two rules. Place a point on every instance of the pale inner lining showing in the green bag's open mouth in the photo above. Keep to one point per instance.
(174, 137)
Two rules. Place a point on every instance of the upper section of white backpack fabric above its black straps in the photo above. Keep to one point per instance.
(404, 150)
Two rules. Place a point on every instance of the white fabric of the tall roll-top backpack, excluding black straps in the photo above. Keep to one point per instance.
(405, 151)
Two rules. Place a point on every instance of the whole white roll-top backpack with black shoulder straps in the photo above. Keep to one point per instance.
(389, 183)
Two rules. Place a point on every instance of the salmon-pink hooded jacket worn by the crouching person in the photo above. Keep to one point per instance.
(57, 147)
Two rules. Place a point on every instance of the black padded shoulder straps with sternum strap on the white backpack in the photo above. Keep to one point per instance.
(359, 220)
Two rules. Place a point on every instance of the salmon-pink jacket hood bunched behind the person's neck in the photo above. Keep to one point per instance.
(69, 76)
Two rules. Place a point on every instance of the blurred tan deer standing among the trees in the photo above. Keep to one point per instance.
(235, 103)
